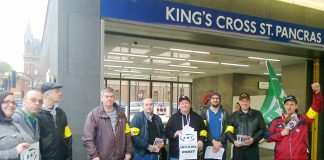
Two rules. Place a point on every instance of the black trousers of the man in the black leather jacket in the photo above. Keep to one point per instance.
(246, 153)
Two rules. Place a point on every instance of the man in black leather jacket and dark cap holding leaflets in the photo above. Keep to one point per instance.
(245, 130)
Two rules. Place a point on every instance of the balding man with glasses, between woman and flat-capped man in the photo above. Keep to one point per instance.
(26, 116)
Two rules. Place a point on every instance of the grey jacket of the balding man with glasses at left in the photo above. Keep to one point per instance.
(20, 118)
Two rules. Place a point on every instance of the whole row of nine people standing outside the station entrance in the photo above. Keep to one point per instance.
(107, 135)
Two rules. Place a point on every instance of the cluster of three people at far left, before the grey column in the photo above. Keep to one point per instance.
(40, 120)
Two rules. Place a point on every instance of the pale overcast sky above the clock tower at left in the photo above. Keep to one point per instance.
(14, 15)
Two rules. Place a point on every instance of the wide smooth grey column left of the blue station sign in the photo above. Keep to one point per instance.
(78, 64)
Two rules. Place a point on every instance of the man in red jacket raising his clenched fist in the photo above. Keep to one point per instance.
(290, 132)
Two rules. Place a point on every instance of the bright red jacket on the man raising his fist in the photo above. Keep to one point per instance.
(294, 146)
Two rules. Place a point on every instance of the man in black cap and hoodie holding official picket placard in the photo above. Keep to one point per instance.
(184, 117)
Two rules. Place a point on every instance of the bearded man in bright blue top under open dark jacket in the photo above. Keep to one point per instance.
(216, 119)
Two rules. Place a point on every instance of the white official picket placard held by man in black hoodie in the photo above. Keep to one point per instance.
(188, 145)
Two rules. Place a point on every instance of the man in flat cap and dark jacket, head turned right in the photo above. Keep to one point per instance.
(55, 134)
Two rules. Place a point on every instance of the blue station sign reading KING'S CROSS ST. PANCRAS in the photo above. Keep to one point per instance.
(166, 13)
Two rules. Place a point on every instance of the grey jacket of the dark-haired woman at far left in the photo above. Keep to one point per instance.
(10, 136)
